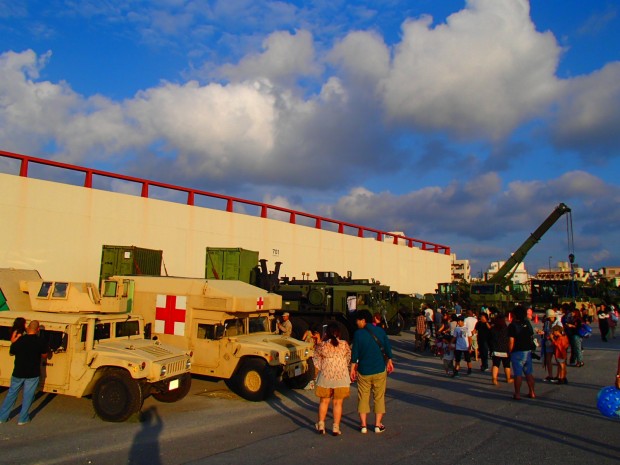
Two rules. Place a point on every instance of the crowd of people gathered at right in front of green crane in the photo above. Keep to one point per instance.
(511, 341)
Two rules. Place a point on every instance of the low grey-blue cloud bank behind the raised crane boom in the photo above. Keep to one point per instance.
(474, 216)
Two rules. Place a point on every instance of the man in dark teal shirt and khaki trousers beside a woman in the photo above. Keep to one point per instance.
(371, 361)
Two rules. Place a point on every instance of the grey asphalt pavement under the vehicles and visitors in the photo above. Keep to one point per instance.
(431, 419)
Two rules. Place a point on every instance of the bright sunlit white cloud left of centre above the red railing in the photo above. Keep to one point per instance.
(214, 128)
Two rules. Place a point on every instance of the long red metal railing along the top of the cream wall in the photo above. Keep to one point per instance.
(319, 221)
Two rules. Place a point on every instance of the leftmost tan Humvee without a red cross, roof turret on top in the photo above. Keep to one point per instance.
(95, 350)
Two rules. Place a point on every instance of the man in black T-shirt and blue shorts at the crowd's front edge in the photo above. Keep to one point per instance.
(520, 335)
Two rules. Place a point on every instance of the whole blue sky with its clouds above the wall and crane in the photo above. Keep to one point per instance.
(458, 122)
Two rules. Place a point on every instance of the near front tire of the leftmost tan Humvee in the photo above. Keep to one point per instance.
(116, 396)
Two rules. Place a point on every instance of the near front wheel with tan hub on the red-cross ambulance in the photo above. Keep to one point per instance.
(254, 380)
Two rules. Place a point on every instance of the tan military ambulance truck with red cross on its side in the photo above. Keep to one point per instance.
(225, 325)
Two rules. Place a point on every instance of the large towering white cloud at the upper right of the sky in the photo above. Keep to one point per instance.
(479, 75)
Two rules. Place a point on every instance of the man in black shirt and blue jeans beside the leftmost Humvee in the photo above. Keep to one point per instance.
(28, 350)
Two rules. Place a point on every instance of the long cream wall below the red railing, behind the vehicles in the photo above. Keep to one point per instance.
(59, 229)
